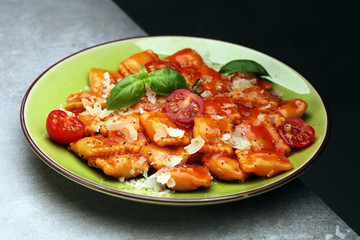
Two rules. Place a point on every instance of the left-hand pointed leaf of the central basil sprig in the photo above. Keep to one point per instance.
(126, 92)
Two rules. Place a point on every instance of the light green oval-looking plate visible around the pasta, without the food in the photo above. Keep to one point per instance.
(70, 75)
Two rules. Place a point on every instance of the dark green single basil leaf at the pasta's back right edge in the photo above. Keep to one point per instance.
(243, 65)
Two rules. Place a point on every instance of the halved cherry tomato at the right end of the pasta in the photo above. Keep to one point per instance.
(296, 133)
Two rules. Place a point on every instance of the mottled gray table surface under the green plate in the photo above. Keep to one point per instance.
(38, 203)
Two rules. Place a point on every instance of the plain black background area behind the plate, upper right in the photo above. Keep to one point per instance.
(319, 39)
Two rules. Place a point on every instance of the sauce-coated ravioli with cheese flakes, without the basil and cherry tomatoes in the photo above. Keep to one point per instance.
(235, 137)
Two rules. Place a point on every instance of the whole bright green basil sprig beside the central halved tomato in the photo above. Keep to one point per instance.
(131, 88)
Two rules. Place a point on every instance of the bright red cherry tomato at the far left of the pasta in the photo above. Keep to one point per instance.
(63, 128)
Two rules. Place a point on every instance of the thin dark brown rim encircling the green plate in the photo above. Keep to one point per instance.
(162, 200)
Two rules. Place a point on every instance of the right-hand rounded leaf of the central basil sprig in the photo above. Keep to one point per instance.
(165, 81)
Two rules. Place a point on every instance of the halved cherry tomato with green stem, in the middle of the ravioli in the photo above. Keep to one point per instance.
(183, 106)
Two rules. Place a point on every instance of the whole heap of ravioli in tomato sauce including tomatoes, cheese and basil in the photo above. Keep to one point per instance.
(179, 122)
